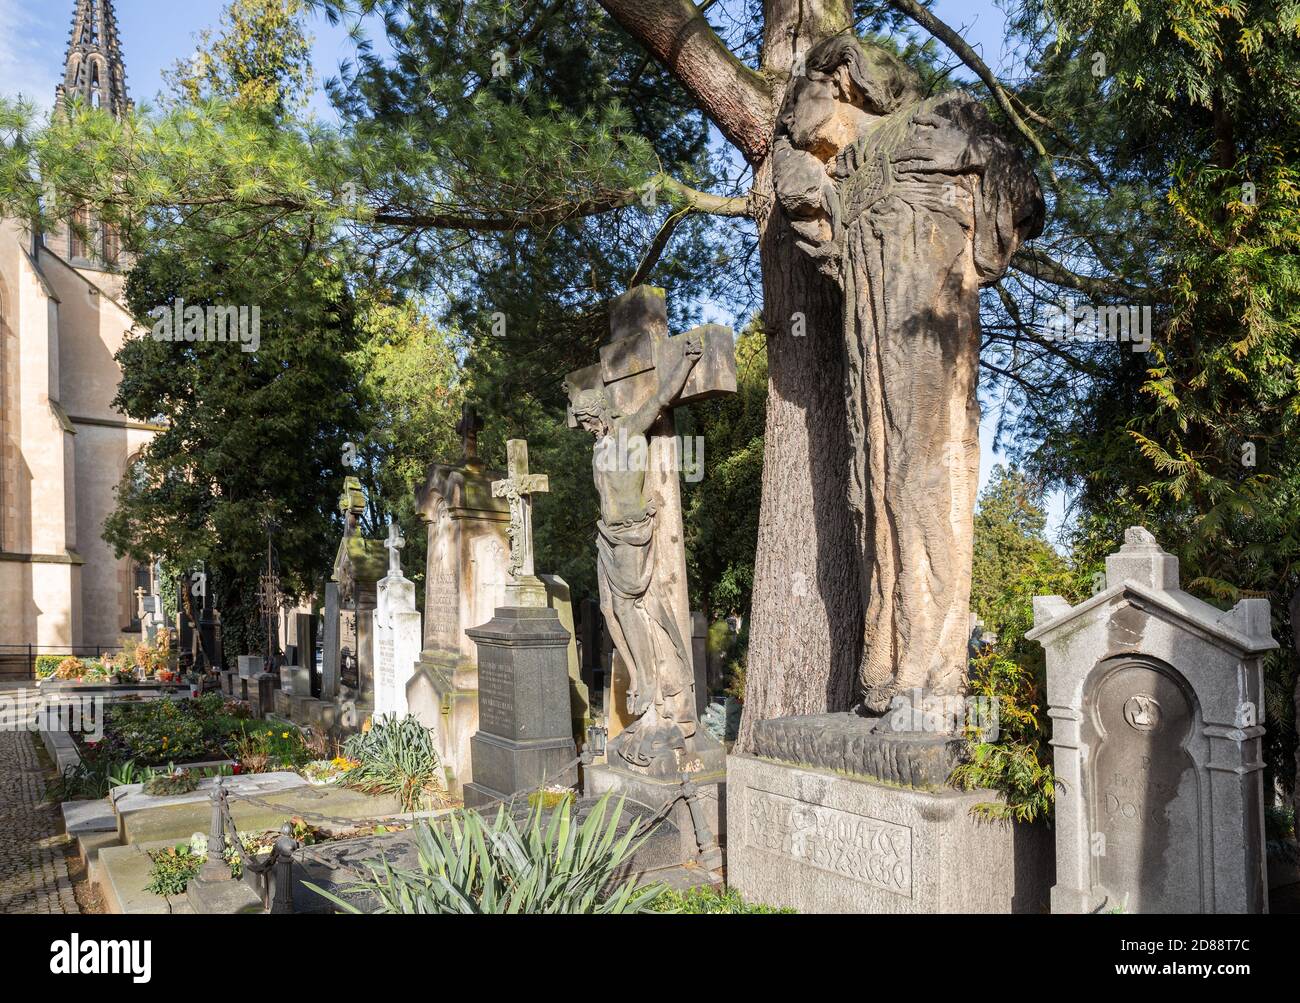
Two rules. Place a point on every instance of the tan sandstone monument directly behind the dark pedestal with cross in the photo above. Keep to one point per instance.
(466, 581)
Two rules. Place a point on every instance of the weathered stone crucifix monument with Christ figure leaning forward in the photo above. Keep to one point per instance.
(626, 401)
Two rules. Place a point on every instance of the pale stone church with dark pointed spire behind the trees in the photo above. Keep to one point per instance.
(66, 448)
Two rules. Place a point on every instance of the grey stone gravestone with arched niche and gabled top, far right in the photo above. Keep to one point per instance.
(1158, 709)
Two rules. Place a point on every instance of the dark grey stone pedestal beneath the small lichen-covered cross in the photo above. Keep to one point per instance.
(525, 737)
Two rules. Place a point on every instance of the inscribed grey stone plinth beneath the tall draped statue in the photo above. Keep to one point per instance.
(817, 841)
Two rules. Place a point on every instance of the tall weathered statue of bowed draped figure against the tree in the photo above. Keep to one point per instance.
(911, 205)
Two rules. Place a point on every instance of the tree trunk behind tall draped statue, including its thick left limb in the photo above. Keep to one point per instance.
(807, 616)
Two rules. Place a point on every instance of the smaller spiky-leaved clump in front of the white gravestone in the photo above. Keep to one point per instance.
(398, 758)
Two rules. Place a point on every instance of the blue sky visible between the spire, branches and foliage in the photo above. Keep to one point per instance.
(158, 33)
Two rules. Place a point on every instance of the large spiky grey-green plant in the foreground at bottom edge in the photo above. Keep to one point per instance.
(545, 866)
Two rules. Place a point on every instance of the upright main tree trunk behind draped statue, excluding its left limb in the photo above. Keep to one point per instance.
(807, 618)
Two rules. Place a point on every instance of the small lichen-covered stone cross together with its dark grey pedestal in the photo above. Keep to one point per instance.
(525, 739)
